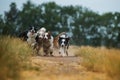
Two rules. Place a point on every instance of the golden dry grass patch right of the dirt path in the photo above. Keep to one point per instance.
(101, 59)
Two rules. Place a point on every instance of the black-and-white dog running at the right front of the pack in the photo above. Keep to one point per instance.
(63, 42)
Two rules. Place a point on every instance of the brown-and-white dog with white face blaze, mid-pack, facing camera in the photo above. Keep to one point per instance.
(48, 44)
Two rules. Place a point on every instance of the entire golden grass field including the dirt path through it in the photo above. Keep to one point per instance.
(83, 63)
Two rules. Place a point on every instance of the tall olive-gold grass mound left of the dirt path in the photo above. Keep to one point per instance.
(14, 55)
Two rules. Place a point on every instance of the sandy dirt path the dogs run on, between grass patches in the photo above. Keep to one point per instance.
(60, 68)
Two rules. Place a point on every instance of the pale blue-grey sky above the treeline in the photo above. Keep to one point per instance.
(99, 6)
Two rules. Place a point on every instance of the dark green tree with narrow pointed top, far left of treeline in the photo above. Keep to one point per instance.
(11, 18)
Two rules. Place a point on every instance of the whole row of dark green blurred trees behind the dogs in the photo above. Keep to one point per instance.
(83, 25)
